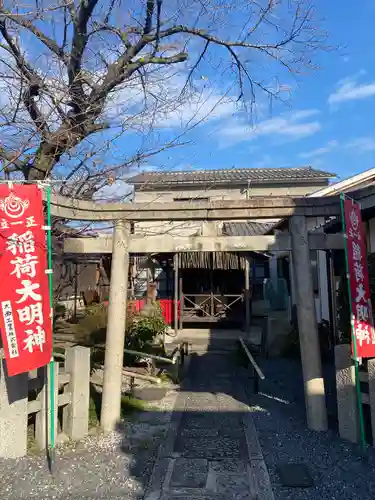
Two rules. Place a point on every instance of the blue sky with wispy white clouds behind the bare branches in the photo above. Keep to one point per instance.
(325, 120)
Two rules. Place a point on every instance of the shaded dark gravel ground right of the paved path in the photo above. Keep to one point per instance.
(338, 470)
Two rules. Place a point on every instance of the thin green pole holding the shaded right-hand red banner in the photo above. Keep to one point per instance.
(354, 341)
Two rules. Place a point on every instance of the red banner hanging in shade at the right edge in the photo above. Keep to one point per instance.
(363, 327)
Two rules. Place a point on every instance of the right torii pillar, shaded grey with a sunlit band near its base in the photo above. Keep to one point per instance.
(316, 411)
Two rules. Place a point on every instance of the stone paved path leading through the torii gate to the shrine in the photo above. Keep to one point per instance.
(211, 450)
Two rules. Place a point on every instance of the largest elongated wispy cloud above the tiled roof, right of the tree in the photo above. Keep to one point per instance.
(289, 126)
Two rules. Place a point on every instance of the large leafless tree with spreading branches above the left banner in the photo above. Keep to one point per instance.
(80, 76)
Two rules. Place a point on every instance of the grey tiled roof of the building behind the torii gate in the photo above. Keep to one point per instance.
(237, 176)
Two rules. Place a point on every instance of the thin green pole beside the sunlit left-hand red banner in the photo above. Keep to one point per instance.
(52, 381)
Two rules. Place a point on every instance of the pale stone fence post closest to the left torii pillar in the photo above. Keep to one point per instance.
(76, 413)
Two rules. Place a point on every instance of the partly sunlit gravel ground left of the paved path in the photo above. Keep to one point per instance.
(112, 467)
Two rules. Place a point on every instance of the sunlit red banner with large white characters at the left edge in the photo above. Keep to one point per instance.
(25, 315)
